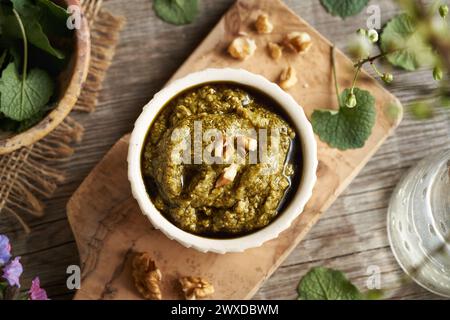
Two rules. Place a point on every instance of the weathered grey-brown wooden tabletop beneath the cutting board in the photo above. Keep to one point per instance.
(351, 235)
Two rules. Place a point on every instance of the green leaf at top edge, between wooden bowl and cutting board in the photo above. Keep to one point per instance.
(176, 12)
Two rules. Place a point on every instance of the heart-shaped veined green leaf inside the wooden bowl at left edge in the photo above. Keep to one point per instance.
(21, 100)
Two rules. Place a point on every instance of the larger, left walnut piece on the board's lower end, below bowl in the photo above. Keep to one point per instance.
(146, 276)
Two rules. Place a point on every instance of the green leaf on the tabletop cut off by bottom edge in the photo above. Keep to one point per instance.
(327, 284)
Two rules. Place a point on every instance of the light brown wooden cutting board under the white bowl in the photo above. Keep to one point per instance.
(108, 225)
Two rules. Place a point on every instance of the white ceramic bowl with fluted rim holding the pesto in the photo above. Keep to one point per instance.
(285, 218)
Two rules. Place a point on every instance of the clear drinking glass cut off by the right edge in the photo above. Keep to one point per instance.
(419, 223)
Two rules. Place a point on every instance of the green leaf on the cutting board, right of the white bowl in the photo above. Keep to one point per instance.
(347, 128)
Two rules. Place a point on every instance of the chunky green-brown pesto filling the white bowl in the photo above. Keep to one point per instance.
(249, 180)
